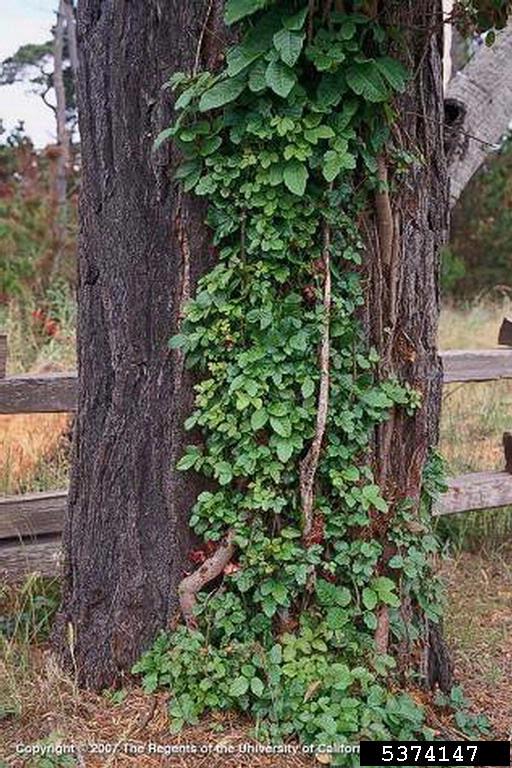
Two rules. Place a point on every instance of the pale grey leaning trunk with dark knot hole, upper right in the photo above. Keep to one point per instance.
(478, 110)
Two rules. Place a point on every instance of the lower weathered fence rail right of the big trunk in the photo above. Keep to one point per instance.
(478, 490)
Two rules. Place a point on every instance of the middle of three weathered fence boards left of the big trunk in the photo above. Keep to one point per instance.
(32, 514)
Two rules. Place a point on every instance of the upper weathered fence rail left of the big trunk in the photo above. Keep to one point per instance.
(38, 393)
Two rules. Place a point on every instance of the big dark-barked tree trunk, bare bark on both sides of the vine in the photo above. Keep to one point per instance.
(141, 250)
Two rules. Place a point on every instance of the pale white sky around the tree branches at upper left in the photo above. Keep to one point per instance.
(25, 21)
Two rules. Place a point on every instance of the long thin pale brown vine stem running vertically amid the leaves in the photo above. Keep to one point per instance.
(309, 464)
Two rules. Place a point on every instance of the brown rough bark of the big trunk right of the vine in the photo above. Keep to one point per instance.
(403, 289)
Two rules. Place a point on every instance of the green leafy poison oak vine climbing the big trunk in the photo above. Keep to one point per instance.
(288, 144)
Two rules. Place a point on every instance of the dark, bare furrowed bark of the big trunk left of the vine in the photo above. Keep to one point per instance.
(141, 249)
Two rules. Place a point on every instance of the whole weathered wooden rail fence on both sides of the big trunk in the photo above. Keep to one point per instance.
(31, 524)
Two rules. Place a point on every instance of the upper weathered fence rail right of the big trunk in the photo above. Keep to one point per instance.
(476, 365)
